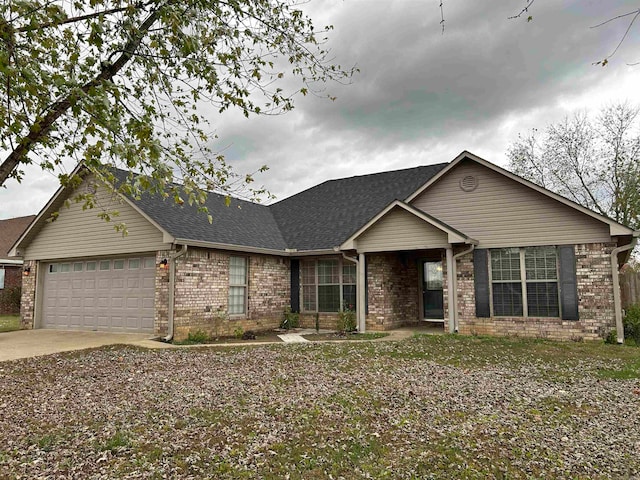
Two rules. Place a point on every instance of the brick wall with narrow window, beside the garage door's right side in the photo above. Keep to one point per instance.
(202, 291)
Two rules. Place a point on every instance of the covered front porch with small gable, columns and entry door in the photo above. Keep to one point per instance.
(406, 263)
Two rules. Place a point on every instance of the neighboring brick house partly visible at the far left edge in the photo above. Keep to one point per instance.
(11, 268)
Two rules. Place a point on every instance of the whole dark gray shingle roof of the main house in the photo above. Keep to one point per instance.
(321, 217)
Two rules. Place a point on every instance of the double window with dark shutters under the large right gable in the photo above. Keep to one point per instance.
(524, 282)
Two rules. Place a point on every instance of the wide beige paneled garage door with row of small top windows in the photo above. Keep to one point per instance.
(100, 294)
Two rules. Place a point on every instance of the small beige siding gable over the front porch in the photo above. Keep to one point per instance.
(400, 230)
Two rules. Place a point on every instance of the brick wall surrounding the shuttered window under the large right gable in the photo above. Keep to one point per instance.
(595, 296)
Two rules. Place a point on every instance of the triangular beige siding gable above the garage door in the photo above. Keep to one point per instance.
(81, 233)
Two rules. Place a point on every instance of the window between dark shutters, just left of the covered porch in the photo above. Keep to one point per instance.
(328, 285)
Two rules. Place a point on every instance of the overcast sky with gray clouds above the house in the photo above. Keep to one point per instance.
(421, 96)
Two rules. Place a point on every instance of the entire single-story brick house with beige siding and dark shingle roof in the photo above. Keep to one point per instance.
(464, 243)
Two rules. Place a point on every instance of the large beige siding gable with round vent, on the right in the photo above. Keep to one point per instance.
(501, 212)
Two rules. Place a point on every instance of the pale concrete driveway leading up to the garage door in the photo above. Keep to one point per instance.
(33, 343)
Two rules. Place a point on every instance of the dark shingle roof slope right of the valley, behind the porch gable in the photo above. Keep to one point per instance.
(324, 216)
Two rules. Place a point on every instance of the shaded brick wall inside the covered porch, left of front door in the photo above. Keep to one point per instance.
(393, 291)
